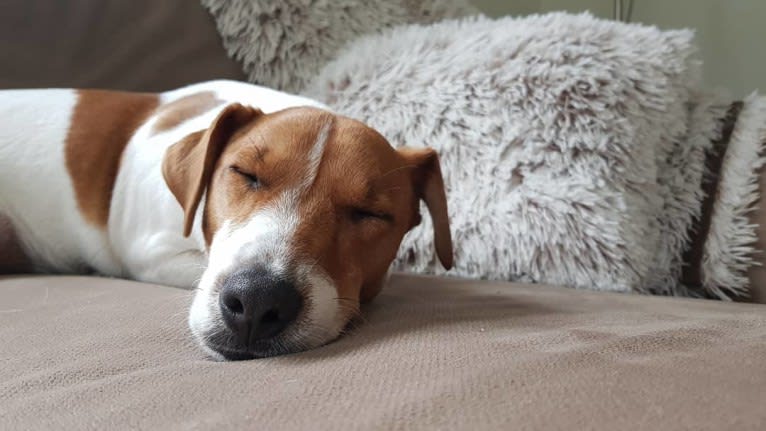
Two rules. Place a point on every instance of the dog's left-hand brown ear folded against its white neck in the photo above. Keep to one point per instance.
(189, 163)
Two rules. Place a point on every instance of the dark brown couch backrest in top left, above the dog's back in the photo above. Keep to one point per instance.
(146, 45)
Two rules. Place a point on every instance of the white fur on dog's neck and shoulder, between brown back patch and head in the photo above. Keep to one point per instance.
(149, 243)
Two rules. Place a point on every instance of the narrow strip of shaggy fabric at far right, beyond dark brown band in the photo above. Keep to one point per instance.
(729, 247)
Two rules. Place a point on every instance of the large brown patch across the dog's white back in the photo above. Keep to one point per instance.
(102, 124)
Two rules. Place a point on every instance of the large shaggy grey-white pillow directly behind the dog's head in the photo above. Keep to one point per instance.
(551, 131)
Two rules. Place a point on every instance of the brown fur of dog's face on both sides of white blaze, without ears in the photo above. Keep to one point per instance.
(359, 171)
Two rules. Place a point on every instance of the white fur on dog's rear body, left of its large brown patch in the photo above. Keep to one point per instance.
(35, 190)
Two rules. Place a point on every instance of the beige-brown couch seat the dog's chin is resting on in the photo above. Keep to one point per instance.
(88, 353)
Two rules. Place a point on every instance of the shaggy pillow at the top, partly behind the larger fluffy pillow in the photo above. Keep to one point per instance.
(283, 44)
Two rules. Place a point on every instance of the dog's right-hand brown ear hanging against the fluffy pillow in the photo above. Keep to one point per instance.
(429, 186)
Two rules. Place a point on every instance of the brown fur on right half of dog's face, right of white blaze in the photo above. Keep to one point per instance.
(363, 172)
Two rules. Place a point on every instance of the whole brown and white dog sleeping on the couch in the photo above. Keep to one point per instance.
(160, 188)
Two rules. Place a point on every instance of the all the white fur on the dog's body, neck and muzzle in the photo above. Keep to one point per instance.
(144, 238)
